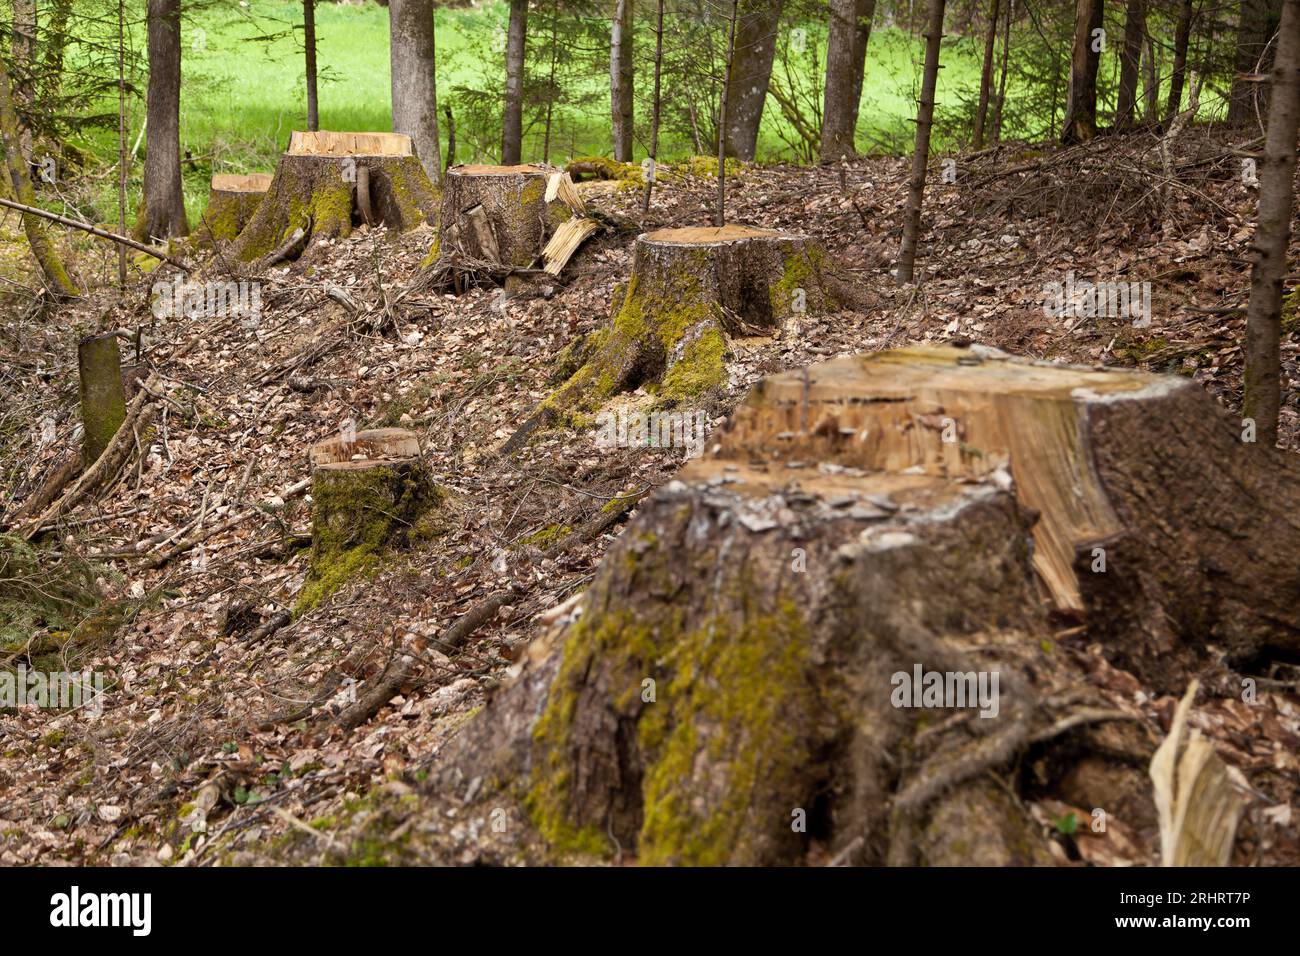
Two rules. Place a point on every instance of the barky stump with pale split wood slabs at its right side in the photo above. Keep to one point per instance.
(499, 215)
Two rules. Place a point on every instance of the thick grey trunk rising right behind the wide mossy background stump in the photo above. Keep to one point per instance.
(415, 89)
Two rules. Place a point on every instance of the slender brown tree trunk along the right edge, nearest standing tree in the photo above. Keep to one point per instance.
(1273, 232)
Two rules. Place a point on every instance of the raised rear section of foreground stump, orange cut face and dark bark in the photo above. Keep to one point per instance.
(1154, 520)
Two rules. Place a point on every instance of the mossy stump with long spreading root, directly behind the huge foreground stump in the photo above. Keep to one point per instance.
(691, 289)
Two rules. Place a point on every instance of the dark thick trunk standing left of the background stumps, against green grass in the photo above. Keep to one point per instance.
(163, 213)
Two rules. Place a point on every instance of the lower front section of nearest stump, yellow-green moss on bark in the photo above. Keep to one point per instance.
(734, 660)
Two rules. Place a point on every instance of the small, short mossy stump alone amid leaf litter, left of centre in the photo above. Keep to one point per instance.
(371, 494)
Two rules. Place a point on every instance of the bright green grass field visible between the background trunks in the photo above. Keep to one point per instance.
(244, 94)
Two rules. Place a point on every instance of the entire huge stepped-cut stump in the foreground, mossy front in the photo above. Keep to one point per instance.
(749, 678)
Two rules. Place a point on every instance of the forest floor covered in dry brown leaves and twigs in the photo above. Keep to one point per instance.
(216, 749)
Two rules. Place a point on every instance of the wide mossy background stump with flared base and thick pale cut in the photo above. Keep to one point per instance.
(315, 191)
